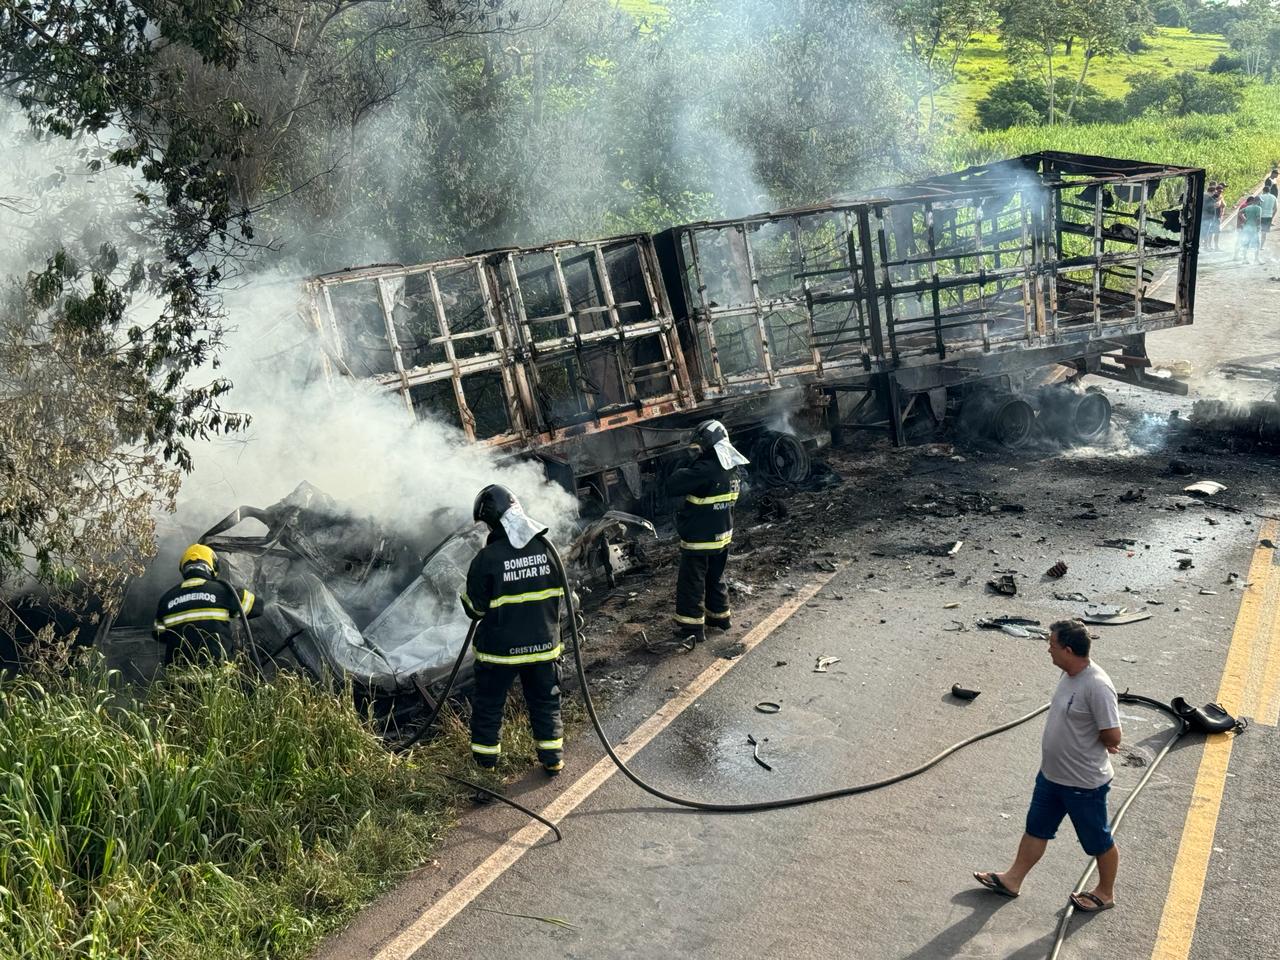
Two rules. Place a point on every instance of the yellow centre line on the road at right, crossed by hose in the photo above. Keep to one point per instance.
(1187, 885)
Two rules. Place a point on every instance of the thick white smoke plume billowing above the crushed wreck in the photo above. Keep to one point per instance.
(351, 438)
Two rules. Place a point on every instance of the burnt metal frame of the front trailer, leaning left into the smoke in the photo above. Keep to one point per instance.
(522, 348)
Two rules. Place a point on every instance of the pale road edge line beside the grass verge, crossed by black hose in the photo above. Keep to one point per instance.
(418, 934)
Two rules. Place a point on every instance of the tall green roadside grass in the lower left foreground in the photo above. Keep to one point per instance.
(214, 819)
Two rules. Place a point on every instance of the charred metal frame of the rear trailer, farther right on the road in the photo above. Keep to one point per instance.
(988, 273)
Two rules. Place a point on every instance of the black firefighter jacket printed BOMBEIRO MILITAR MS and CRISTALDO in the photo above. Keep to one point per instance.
(516, 596)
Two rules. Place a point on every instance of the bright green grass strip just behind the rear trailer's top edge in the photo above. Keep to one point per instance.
(1238, 148)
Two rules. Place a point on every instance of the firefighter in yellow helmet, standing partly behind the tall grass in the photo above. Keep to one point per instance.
(194, 619)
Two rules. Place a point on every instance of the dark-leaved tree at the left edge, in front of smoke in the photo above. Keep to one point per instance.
(98, 405)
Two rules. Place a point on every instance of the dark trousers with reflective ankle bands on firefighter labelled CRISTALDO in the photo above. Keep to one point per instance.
(541, 685)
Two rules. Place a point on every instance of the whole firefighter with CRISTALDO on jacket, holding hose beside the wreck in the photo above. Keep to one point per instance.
(515, 592)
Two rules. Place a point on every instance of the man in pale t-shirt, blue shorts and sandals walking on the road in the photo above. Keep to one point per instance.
(1081, 733)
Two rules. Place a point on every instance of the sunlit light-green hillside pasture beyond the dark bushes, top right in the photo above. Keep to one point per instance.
(984, 65)
